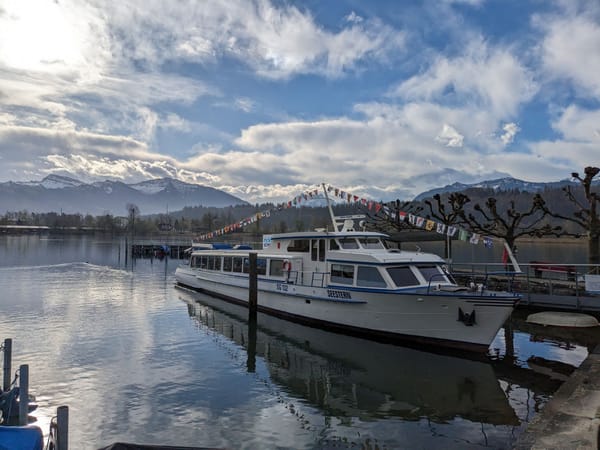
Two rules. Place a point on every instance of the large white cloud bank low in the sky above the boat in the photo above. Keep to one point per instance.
(391, 147)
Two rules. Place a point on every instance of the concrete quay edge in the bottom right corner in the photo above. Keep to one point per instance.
(571, 419)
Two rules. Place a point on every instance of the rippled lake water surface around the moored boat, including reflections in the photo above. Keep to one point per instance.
(138, 360)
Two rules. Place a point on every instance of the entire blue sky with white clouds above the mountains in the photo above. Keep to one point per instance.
(266, 98)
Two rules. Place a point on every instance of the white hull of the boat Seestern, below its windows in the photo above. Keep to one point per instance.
(425, 318)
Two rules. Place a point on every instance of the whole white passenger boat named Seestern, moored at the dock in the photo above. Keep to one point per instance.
(349, 281)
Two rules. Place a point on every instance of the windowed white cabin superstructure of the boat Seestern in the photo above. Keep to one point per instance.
(356, 261)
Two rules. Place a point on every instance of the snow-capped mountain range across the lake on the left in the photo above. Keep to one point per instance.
(57, 193)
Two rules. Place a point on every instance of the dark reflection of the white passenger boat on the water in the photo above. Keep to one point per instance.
(352, 377)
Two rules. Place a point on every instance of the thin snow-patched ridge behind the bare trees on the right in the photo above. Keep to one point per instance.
(498, 185)
